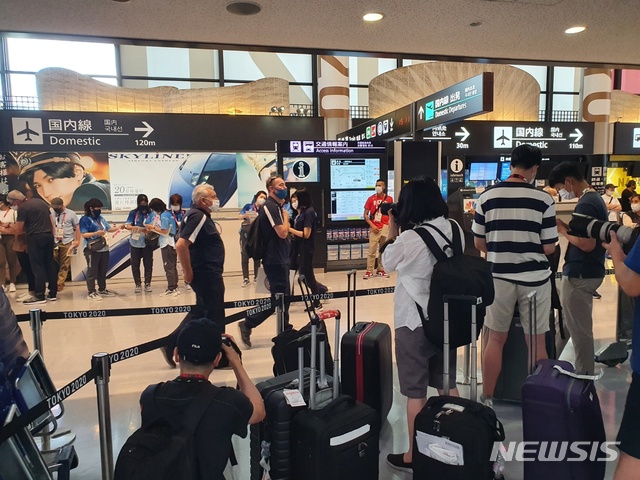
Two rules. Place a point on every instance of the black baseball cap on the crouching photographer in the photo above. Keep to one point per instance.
(199, 341)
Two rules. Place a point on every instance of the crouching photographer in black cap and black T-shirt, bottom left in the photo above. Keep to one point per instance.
(200, 347)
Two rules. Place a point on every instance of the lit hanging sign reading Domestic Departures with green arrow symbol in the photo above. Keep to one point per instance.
(462, 100)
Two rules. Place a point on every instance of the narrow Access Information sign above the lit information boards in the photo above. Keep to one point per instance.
(301, 148)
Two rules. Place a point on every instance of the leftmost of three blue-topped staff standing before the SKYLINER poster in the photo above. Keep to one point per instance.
(93, 226)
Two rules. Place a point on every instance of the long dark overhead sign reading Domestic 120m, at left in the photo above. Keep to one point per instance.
(103, 132)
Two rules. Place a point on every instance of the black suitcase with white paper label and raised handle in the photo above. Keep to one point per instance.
(455, 437)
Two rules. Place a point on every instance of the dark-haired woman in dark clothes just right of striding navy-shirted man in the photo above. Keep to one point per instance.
(304, 231)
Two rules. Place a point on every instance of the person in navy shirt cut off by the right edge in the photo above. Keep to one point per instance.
(628, 277)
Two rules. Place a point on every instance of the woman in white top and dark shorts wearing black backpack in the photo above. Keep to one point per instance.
(420, 363)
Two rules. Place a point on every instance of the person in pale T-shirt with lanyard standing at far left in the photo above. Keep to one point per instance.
(66, 236)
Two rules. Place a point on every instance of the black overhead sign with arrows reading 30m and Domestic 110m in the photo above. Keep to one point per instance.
(499, 138)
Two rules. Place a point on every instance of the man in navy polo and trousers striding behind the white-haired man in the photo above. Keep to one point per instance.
(274, 230)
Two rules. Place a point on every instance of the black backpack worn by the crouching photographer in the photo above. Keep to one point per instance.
(164, 449)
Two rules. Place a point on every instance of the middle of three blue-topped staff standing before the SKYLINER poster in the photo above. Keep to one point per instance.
(139, 249)
